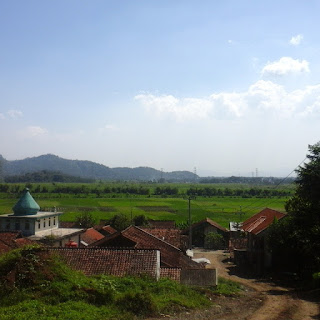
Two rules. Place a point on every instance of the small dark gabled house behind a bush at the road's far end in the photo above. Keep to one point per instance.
(202, 228)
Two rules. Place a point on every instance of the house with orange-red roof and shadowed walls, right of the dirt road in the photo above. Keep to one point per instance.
(256, 253)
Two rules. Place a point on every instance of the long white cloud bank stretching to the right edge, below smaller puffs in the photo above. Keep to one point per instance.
(261, 99)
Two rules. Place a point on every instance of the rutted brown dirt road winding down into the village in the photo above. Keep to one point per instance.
(278, 303)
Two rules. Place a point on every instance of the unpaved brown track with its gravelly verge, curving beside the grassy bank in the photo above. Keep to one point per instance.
(260, 301)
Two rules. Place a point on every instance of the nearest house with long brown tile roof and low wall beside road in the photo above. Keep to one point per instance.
(130, 261)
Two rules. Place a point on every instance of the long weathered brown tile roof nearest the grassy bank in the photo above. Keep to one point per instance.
(117, 262)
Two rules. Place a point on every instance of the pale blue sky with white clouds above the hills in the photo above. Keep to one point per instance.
(222, 87)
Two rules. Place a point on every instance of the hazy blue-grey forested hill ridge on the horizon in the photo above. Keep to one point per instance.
(88, 169)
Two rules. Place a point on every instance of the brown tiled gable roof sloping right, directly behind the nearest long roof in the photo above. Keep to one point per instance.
(170, 255)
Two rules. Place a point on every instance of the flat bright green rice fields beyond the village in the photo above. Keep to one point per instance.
(220, 209)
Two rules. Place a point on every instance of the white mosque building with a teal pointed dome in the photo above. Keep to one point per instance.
(37, 225)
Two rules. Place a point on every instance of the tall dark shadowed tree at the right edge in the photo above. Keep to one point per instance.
(295, 240)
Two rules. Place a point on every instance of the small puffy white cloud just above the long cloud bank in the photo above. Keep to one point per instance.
(286, 65)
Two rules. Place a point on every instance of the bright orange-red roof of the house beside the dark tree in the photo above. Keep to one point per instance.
(261, 220)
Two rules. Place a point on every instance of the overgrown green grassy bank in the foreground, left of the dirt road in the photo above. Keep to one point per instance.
(34, 285)
